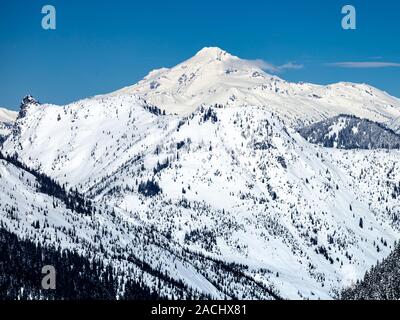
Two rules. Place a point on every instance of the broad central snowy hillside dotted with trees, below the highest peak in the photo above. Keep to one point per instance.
(245, 190)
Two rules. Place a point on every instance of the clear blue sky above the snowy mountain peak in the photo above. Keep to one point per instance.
(100, 46)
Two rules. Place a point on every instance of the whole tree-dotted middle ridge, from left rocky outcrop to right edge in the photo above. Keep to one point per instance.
(232, 184)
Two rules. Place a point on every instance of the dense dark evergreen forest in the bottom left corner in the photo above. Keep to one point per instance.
(77, 277)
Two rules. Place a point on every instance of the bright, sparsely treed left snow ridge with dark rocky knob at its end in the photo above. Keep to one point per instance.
(82, 132)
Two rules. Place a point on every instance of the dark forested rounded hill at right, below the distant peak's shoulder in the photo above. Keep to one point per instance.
(349, 132)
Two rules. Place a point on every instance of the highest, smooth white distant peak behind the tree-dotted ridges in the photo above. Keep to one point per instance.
(214, 76)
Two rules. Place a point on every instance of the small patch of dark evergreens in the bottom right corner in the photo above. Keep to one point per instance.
(382, 282)
